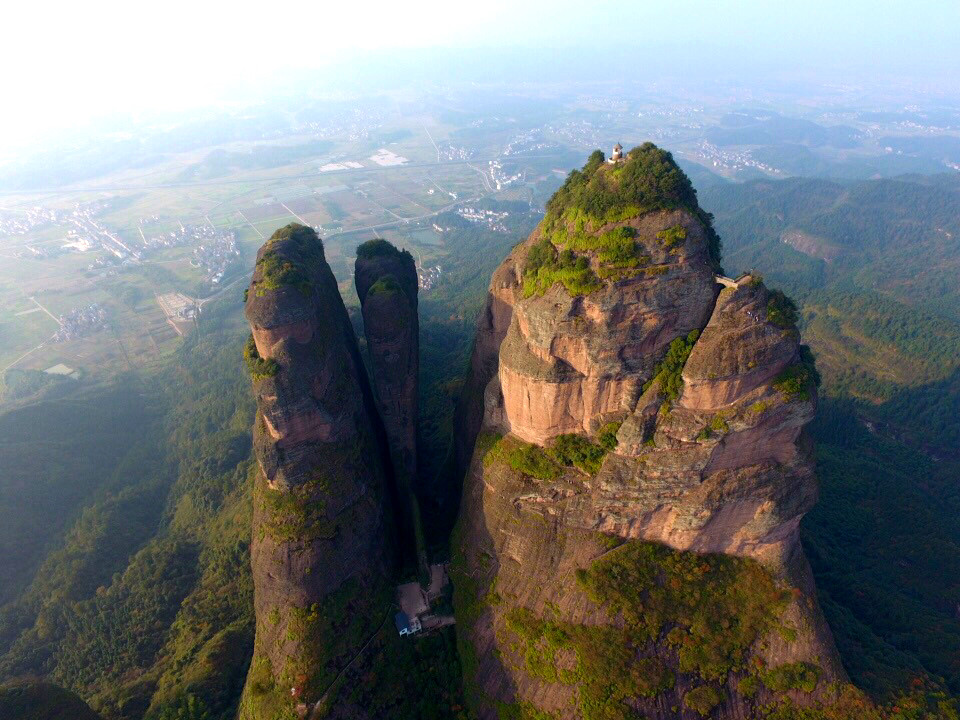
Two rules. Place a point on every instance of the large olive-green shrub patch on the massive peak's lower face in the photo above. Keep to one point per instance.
(710, 610)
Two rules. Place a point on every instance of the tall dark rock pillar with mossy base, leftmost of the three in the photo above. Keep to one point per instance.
(320, 564)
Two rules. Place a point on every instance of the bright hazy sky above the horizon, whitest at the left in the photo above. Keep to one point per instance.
(66, 61)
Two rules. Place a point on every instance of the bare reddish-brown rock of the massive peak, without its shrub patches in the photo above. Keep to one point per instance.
(717, 463)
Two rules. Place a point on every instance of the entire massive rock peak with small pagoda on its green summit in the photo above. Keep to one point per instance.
(639, 401)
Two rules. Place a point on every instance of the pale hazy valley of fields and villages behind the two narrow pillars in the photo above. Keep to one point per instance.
(393, 190)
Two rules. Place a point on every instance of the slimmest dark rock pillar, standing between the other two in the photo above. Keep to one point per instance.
(386, 281)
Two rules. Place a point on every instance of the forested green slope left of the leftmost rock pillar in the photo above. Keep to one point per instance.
(140, 591)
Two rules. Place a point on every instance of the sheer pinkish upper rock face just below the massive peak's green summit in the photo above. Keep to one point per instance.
(568, 364)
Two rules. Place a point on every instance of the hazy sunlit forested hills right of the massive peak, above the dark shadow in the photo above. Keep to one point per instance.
(875, 264)
